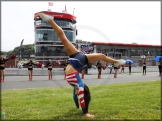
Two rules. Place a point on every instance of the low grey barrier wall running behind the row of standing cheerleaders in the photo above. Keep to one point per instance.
(60, 71)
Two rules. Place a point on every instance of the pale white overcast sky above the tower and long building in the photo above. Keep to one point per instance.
(106, 21)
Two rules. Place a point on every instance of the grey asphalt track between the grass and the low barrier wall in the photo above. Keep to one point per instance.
(21, 82)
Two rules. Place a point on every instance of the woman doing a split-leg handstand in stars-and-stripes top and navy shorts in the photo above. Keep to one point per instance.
(76, 62)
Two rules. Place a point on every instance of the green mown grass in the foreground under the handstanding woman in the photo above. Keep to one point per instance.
(139, 100)
